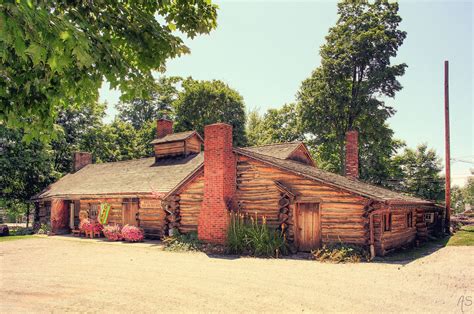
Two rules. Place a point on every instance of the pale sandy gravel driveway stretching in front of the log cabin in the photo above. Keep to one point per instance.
(54, 274)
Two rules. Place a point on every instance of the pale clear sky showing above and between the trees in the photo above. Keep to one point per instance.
(265, 49)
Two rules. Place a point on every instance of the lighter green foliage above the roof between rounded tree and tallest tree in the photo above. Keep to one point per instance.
(275, 126)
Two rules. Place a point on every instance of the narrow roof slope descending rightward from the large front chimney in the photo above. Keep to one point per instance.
(332, 179)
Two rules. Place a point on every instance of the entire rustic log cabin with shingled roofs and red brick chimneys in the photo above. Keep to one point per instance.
(186, 189)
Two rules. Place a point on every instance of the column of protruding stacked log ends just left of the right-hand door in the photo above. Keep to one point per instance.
(285, 215)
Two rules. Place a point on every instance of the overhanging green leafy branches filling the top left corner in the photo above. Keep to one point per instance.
(57, 53)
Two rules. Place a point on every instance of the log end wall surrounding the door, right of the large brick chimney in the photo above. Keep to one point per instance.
(342, 214)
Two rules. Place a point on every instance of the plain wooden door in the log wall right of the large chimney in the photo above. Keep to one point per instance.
(308, 226)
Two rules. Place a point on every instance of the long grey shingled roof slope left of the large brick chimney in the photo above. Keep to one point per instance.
(139, 176)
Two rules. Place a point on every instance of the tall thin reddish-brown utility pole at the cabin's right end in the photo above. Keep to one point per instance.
(447, 195)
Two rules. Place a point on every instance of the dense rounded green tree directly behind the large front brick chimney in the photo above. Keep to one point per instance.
(206, 102)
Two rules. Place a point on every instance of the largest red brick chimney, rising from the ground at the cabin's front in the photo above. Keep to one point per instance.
(219, 183)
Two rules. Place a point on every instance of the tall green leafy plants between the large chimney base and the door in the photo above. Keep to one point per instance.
(248, 236)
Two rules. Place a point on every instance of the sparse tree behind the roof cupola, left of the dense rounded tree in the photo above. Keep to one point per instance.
(159, 104)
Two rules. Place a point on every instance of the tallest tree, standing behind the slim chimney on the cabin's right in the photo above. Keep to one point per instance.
(344, 92)
